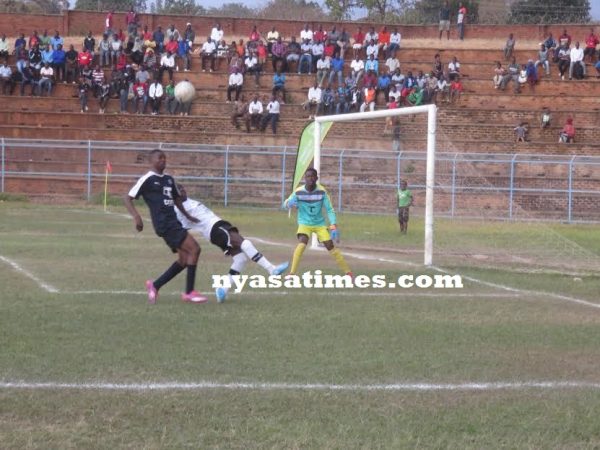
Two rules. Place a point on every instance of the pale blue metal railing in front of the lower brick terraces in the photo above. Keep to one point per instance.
(501, 186)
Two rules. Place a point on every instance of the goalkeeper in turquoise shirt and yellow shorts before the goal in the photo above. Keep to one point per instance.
(310, 200)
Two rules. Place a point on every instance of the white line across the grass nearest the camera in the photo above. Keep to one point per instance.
(257, 386)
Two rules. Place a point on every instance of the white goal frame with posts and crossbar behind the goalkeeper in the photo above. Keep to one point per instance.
(431, 111)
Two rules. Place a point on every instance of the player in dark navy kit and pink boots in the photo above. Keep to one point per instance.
(161, 195)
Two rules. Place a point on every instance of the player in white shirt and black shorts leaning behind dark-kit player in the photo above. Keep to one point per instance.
(225, 236)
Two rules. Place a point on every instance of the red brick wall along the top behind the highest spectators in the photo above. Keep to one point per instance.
(79, 22)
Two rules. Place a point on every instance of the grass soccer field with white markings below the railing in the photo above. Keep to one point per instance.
(510, 360)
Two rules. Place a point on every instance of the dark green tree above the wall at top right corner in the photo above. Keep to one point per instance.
(550, 11)
